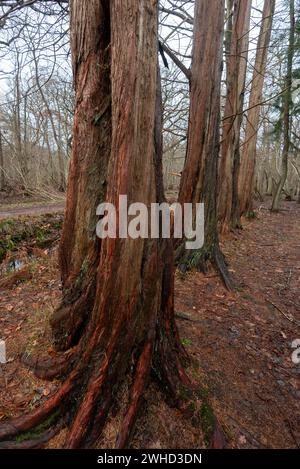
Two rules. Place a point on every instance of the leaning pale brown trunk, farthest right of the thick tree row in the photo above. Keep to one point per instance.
(247, 170)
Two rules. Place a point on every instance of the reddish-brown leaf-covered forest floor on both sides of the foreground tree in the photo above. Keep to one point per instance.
(240, 342)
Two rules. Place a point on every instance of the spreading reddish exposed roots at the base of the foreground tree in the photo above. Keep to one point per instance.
(105, 376)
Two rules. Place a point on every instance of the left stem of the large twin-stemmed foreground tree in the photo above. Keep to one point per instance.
(87, 184)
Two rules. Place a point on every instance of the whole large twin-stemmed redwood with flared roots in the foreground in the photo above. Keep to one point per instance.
(117, 311)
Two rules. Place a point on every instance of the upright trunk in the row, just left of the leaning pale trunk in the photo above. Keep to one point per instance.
(230, 158)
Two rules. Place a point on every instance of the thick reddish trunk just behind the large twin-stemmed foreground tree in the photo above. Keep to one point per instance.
(199, 177)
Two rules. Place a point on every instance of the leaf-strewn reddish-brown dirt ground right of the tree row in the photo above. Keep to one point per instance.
(243, 340)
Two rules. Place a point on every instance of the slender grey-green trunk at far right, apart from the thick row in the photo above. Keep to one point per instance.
(288, 100)
